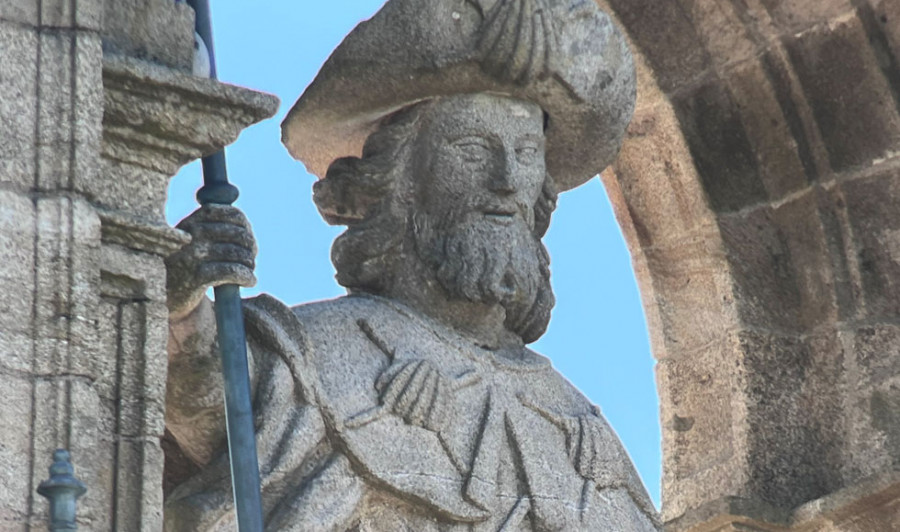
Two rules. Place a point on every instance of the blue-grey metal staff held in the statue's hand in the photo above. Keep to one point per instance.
(232, 341)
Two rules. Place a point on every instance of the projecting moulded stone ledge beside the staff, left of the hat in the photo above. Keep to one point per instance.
(159, 118)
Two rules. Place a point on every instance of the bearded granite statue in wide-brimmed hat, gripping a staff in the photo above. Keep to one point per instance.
(413, 403)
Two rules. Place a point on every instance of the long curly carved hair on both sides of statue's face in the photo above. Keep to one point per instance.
(370, 196)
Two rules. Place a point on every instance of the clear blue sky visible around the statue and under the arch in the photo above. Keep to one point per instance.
(597, 336)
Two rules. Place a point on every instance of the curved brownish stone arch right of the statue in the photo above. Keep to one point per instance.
(758, 191)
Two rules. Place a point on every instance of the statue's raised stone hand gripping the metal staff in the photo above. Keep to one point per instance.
(222, 251)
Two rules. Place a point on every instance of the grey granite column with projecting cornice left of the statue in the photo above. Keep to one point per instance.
(98, 111)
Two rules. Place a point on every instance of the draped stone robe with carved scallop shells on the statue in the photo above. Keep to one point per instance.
(494, 442)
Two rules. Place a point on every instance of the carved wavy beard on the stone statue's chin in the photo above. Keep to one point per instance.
(480, 261)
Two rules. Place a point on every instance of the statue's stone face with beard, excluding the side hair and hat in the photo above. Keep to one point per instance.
(479, 171)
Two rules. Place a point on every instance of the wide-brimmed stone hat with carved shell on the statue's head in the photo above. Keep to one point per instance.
(564, 55)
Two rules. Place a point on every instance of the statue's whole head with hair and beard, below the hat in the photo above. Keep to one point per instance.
(458, 184)
